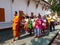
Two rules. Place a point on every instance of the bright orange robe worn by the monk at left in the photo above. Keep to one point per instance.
(16, 26)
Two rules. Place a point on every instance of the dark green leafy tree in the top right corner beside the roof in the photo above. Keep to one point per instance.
(55, 6)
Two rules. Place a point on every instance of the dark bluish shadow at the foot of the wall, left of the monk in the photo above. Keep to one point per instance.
(5, 35)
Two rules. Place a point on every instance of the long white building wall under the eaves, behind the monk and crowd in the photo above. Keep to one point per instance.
(19, 5)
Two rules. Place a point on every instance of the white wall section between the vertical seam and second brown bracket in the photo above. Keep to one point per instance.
(19, 5)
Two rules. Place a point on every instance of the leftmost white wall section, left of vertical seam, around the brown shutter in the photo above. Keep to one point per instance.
(6, 5)
